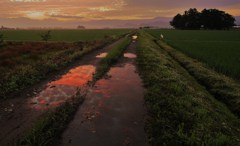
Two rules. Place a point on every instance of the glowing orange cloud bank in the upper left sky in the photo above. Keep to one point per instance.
(44, 9)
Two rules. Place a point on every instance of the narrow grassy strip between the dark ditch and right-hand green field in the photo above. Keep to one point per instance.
(222, 87)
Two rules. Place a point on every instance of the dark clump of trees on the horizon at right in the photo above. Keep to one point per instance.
(206, 19)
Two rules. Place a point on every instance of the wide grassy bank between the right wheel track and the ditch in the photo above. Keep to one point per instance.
(181, 112)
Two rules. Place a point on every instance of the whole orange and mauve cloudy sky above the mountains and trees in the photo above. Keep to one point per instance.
(89, 10)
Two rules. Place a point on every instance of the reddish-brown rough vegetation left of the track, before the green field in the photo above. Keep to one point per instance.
(24, 64)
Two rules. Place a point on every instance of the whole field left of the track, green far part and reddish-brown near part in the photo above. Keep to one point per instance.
(25, 59)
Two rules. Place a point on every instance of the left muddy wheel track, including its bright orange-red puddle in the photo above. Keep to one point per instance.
(18, 114)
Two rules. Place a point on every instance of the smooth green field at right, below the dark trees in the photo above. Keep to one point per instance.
(218, 49)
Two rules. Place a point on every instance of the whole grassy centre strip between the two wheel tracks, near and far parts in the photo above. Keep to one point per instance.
(49, 128)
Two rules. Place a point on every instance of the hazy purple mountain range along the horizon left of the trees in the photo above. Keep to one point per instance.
(162, 22)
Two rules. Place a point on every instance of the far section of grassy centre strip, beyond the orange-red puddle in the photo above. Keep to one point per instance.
(113, 55)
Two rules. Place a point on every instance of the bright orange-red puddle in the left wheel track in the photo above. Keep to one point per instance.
(66, 87)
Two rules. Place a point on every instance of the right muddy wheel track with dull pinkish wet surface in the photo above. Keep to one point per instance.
(113, 112)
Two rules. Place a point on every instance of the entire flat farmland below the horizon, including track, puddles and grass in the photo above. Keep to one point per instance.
(166, 91)
